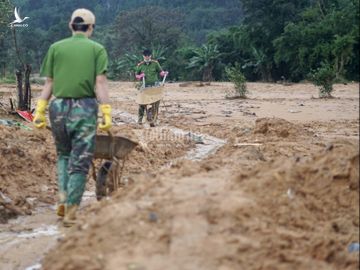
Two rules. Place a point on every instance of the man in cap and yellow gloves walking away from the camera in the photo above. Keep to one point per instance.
(74, 68)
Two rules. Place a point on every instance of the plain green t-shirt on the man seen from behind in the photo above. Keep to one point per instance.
(73, 64)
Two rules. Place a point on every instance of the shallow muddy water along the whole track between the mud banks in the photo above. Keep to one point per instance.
(25, 241)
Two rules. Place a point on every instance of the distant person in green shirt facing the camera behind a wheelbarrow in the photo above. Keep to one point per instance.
(149, 70)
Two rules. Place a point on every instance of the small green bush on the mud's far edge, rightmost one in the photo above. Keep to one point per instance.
(324, 77)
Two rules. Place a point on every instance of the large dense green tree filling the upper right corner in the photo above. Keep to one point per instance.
(325, 32)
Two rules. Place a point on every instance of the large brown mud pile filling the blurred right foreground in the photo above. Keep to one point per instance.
(278, 214)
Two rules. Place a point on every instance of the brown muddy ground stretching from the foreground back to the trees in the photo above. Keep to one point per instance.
(268, 182)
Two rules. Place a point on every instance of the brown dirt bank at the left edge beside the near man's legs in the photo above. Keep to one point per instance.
(27, 170)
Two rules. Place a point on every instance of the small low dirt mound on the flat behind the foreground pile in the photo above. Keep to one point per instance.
(277, 127)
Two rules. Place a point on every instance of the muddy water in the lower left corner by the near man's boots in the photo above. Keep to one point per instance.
(25, 240)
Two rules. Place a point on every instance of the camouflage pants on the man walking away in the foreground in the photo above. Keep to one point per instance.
(73, 123)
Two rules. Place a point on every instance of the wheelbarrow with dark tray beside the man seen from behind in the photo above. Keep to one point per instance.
(114, 150)
